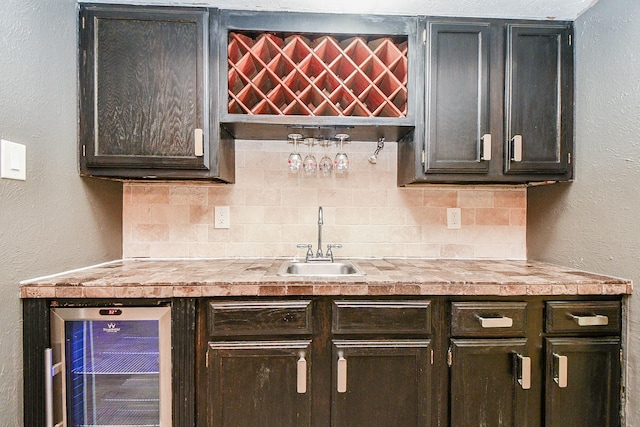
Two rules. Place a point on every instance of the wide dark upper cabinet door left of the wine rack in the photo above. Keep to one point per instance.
(144, 98)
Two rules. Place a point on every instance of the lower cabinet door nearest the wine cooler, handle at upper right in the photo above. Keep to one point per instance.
(259, 384)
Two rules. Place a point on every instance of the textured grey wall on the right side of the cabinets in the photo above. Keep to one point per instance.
(593, 223)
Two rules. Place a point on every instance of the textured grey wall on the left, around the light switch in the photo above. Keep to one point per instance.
(54, 220)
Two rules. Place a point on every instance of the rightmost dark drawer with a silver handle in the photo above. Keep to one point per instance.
(583, 316)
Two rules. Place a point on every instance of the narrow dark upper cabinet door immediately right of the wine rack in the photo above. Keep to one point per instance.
(457, 86)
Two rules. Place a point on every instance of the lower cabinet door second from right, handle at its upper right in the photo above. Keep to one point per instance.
(490, 382)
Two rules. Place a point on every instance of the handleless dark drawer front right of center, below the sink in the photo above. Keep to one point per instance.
(382, 317)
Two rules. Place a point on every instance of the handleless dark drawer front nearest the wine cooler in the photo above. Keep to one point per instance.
(259, 318)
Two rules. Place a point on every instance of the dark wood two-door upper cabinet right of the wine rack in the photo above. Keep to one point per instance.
(499, 104)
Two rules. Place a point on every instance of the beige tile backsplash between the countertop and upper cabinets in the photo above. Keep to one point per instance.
(271, 211)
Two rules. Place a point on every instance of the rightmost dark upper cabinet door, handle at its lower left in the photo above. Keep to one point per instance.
(539, 100)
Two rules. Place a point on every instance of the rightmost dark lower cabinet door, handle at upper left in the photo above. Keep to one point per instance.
(582, 382)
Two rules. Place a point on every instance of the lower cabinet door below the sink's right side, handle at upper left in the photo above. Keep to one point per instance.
(381, 383)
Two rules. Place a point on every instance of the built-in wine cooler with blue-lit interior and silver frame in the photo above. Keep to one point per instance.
(109, 366)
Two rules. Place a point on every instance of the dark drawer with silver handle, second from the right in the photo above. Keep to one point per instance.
(488, 319)
